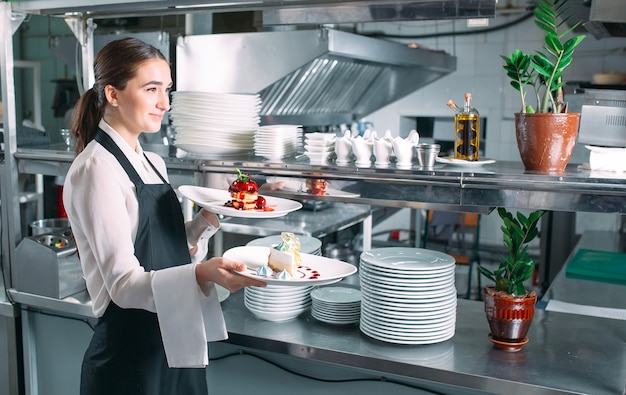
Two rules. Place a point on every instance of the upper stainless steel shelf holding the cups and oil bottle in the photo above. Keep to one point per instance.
(446, 187)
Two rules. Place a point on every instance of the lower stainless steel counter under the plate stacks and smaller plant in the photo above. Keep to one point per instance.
(566, 354)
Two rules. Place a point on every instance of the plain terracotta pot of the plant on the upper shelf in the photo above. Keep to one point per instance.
(545, 140)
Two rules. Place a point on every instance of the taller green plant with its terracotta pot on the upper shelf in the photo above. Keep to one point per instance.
(541, 127)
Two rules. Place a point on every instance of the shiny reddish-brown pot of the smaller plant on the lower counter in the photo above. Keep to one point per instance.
(509, 317)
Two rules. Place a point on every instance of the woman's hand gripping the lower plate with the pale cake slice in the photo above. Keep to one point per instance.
(220, 271)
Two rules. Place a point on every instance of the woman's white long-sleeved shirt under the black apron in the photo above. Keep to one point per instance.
(102, 207)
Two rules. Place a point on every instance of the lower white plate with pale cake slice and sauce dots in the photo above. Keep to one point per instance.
(284, 264)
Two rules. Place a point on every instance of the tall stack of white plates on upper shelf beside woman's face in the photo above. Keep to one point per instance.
(214, 124)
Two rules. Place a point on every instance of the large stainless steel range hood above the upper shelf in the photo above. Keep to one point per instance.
(308, 77)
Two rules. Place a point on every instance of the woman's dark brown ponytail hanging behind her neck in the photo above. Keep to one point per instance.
(87, 114)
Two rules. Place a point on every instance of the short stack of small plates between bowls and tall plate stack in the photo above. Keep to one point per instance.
(336, 305)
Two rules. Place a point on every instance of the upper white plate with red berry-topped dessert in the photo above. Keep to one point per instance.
(242, 199)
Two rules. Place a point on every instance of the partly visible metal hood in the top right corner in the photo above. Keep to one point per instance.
(607, 18)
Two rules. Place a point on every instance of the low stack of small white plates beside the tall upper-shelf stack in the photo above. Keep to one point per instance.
(277, 141)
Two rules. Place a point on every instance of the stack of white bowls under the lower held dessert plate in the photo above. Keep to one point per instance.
(277, 302)
